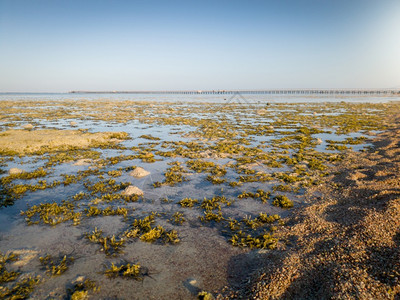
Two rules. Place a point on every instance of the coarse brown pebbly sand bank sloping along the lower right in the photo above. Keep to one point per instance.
(346, 243)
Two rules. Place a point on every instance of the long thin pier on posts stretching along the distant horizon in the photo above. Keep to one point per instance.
(258, 92)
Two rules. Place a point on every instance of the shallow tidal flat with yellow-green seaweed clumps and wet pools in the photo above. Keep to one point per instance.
(154, 200)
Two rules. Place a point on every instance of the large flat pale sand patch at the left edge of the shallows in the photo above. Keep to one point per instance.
(50, 140)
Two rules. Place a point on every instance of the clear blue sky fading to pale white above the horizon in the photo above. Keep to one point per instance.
(58, 46)
